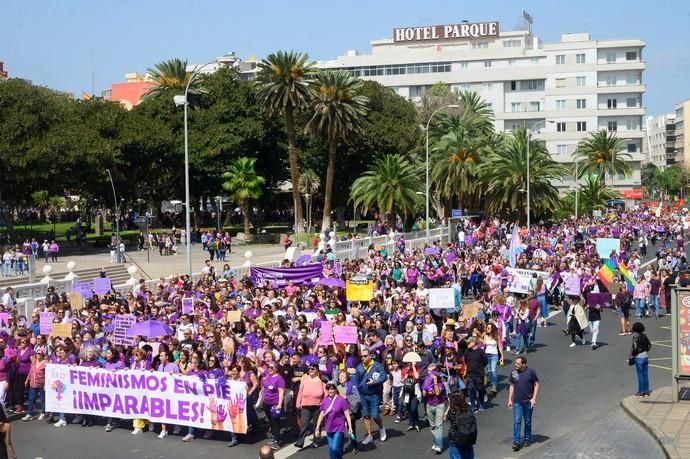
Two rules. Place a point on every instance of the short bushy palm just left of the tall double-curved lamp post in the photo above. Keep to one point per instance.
(390, 185)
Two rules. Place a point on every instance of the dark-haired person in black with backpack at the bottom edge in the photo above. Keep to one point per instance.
(462, 435)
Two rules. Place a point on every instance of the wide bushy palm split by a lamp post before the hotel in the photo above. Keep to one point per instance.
(503, 175)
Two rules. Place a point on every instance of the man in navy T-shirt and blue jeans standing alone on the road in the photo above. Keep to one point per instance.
(522, 398)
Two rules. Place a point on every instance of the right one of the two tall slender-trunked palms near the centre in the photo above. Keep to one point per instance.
(338, 113)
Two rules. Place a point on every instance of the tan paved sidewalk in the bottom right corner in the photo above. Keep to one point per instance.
(668, 422)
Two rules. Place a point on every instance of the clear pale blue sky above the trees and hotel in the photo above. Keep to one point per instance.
(59, 43)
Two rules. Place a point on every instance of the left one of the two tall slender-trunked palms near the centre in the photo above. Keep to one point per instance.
(283, 87)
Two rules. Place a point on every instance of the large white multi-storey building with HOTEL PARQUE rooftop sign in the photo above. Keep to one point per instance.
(565, 89)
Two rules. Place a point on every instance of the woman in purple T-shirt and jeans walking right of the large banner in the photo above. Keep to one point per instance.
(336, 411)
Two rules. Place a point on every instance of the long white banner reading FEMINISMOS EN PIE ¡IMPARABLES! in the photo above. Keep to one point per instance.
(214, 404)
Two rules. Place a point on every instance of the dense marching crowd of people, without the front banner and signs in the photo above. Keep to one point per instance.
(412, 364)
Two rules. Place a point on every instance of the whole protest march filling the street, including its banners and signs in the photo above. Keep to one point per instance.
(394, 332)
